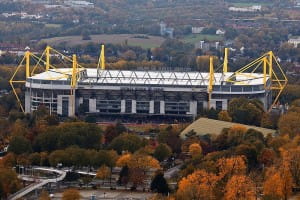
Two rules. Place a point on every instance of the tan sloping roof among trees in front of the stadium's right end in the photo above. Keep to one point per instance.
(205, 126)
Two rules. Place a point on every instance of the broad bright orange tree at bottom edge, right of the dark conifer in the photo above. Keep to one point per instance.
(198, 185)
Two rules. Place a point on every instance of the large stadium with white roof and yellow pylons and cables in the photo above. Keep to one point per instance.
(99, 91)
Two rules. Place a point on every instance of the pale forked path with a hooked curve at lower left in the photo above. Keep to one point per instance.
(38, 182)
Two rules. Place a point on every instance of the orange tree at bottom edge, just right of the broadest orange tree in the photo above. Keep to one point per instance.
(240, 187)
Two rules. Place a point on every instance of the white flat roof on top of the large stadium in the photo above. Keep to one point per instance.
(150, 77)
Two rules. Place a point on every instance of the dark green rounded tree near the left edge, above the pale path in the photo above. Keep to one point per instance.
(19, 145)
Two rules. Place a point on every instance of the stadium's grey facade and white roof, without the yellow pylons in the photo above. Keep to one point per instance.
(138, 92)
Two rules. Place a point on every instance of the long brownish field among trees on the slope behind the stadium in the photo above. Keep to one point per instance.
(132, 40)
